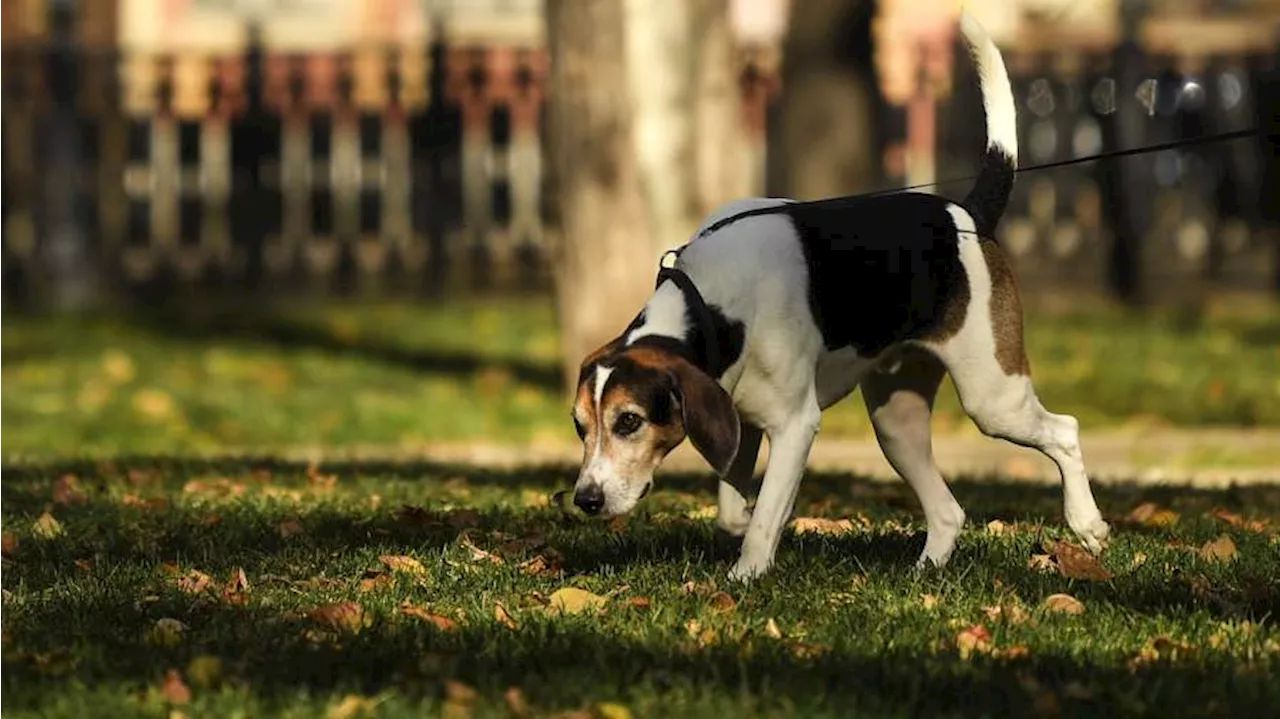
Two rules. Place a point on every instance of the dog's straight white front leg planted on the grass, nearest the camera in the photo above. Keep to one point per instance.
(789, 451)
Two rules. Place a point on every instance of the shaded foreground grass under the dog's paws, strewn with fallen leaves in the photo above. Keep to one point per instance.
(858, 631)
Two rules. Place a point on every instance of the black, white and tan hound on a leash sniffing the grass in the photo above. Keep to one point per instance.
(778, 310)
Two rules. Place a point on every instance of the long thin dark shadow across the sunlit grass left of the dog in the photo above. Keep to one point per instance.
(269, 329)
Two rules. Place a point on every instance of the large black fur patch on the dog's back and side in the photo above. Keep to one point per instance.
(881, 271)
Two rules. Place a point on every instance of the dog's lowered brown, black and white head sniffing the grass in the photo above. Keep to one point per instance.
(634, 406)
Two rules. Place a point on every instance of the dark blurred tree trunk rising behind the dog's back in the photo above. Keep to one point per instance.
(825, 132)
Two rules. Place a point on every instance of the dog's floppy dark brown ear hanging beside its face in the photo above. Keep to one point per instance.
(711, 420)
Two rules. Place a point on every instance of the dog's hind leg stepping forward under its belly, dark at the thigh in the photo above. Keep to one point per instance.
(900, 402)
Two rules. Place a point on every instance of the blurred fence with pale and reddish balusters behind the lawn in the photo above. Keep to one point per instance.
(394, 172)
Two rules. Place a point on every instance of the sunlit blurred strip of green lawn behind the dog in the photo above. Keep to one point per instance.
(404, 377)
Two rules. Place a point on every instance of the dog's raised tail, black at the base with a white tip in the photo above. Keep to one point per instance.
(990, 194)
